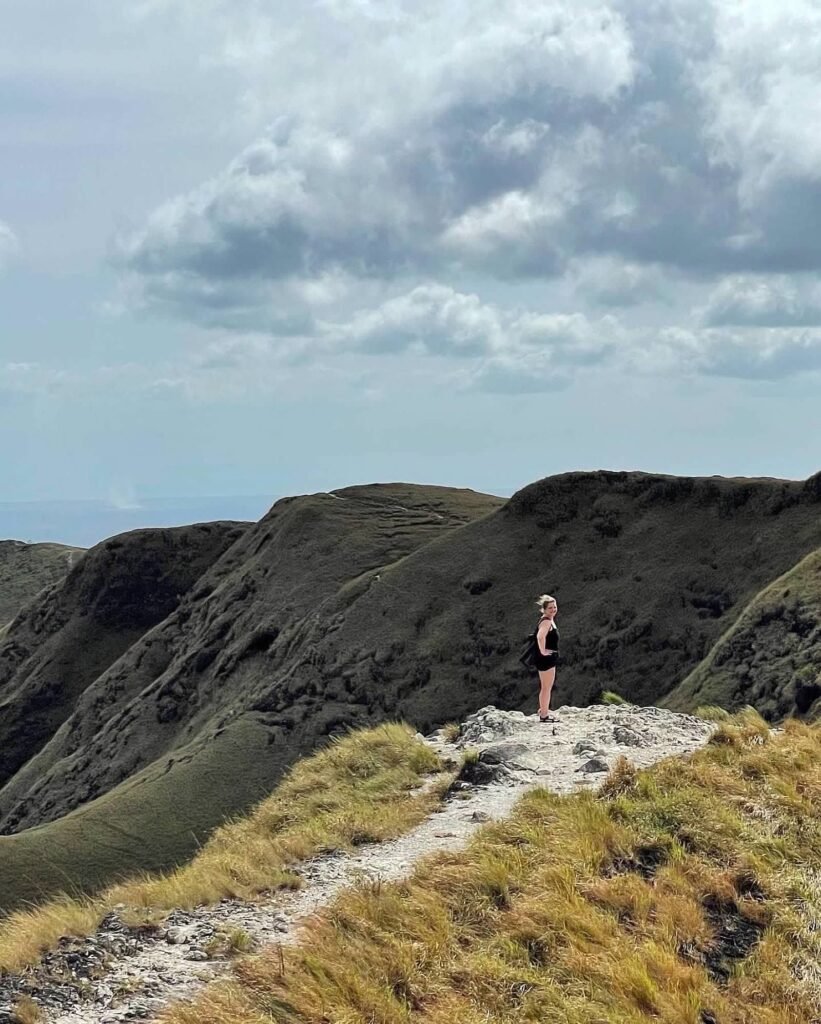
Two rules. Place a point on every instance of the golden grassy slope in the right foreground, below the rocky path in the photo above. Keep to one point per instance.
(683, 894)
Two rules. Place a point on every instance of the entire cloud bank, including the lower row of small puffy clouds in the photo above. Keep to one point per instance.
(606, 151)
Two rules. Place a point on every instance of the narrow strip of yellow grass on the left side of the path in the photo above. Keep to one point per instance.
(359, 790)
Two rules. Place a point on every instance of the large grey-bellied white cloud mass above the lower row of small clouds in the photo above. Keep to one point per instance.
(506, 140)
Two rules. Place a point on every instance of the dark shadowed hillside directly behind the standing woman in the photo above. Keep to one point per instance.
(649, 571)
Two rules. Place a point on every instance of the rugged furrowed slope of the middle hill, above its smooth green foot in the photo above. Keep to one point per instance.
(192, 678)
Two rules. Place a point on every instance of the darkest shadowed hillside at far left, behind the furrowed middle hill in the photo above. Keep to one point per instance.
(77, 628)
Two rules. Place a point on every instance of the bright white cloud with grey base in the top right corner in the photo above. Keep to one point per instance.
(763, 99)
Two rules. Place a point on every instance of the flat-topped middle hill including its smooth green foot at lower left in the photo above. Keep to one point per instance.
(179, 702)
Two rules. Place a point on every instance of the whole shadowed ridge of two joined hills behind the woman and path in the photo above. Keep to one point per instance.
(393, 602)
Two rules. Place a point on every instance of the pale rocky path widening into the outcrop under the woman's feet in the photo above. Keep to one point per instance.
(123, 974)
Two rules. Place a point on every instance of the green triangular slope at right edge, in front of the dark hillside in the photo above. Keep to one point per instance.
(770, 657)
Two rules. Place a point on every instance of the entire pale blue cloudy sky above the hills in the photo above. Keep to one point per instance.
(252, 247)
